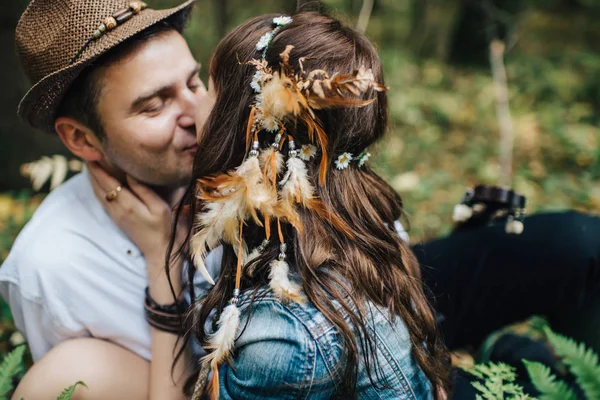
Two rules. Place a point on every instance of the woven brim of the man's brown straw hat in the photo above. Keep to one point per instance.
(39, 105)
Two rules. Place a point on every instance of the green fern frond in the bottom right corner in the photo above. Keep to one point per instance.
(582, 362)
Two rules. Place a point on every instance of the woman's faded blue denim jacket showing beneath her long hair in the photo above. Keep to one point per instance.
(291, 351)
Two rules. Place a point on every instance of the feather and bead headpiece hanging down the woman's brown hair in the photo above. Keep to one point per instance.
(283, 97)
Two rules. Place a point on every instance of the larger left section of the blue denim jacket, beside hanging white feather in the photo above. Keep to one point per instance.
(278, 352)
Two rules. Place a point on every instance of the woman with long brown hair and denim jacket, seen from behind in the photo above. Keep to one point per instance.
(317, 296)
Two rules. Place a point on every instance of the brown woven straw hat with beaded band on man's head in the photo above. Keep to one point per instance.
(55, 41)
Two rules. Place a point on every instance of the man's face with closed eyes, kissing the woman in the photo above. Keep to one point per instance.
(147, 107)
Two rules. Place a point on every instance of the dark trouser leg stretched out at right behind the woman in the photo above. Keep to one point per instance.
(482, 279)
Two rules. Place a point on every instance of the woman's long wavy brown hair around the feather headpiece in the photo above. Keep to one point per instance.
(372, 264)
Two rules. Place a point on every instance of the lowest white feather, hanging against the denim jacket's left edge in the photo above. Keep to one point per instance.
(223, 340)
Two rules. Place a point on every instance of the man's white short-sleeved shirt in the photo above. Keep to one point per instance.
(73, 273)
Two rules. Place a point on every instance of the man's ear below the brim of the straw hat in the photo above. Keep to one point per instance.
(79, 139)
